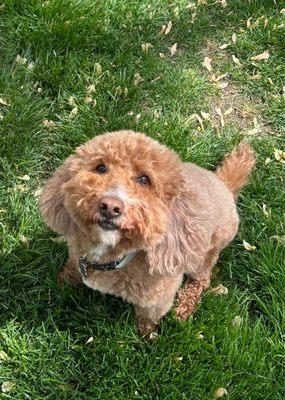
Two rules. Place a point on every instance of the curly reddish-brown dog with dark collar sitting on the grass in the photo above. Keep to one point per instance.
(137, 219)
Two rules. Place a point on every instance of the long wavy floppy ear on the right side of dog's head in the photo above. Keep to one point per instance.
(183, 246)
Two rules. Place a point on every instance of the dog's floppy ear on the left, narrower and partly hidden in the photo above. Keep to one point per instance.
(52, 201)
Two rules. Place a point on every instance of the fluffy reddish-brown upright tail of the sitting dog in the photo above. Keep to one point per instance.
(236, 168)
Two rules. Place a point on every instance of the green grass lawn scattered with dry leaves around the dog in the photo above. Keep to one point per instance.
(198, 76)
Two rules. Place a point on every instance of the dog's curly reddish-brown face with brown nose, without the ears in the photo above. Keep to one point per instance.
(124, 183)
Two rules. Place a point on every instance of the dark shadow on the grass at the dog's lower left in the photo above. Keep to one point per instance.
(31, 295)
